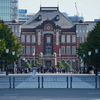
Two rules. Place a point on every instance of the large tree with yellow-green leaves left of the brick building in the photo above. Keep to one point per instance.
(8, 41)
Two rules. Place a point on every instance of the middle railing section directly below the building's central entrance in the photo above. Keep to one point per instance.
(55, 82)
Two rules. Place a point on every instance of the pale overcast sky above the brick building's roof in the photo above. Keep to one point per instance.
(90, 9)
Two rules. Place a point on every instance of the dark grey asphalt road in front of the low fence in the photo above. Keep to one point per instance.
(50, 94)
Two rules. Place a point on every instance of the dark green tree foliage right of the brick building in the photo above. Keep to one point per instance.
(92, 43)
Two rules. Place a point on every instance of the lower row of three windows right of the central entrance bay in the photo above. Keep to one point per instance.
(68, 50)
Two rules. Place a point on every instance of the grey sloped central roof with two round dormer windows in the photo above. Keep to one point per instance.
(50, 13)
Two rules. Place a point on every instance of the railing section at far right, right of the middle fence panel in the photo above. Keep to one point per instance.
(85, 82)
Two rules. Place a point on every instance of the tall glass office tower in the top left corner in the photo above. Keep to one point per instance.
(8, 10)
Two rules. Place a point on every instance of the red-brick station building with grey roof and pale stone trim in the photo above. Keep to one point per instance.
(50, 37)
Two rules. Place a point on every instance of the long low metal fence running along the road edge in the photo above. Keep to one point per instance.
(50, 81)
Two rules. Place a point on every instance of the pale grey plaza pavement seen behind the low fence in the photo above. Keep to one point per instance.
(54, 80)
